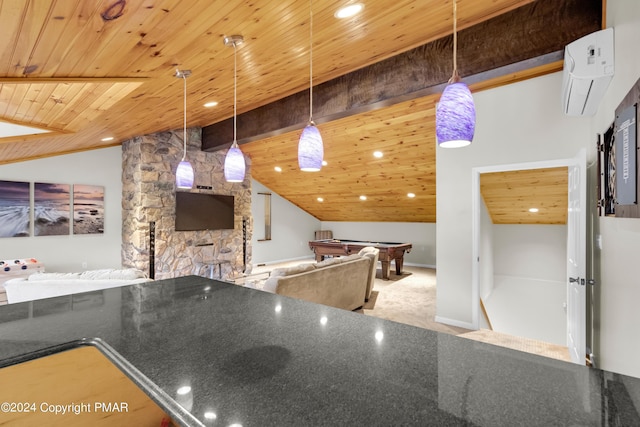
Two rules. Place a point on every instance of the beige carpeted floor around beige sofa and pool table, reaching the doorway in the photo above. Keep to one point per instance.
(411, 299)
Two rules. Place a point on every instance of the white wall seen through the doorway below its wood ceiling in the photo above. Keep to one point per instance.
(530, 281)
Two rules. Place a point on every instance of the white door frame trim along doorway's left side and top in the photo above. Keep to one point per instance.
(476, 226)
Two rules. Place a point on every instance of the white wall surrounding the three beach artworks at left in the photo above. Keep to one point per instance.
(68, 253)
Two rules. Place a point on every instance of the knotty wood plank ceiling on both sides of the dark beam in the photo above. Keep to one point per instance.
(86, 70)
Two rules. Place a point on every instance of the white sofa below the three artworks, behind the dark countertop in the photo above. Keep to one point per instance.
(47, 285)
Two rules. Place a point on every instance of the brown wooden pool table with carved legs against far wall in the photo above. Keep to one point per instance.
(388, 251)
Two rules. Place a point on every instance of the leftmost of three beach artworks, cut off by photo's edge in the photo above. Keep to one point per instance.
(14, 208)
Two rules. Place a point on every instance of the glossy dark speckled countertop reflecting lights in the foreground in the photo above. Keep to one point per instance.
(237, 356)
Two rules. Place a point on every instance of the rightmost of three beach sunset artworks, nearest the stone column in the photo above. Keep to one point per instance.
(88, 209)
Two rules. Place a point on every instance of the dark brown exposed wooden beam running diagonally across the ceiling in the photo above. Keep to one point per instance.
(505, 44)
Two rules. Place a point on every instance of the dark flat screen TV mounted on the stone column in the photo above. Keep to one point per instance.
(204, 211)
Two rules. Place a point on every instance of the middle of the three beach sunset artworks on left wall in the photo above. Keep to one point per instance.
(51, 206)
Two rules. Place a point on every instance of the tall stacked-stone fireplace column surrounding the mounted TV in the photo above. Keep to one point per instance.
(148, 195)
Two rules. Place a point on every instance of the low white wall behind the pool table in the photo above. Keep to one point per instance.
(422, 237)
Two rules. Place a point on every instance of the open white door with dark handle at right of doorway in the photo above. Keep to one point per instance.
(576, 259)
